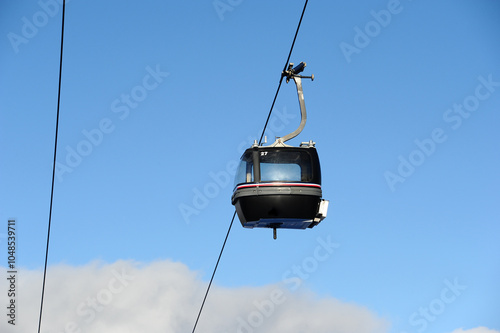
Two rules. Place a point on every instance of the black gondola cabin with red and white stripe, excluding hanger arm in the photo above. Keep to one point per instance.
(279, 187)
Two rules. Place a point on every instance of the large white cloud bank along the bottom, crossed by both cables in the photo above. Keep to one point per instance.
(165, 296)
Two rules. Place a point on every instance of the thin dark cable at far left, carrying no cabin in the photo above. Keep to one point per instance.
(53, 170)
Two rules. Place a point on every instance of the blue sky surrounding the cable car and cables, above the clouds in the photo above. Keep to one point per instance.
(158, 101)
